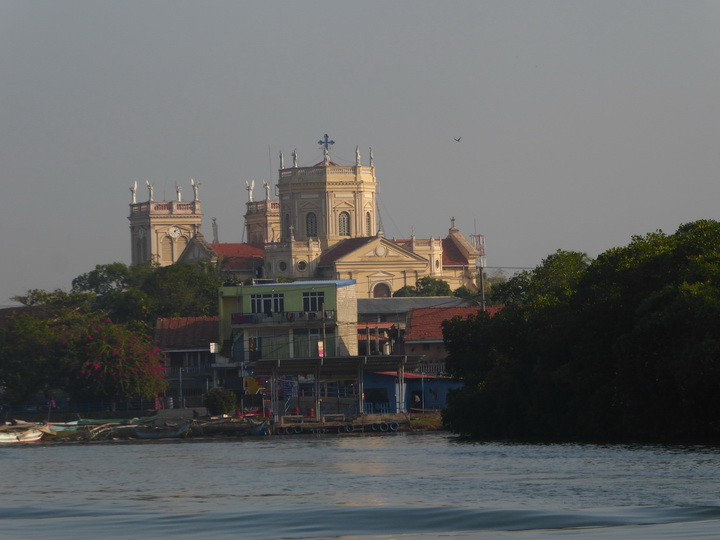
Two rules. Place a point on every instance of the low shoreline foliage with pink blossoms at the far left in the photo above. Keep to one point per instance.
(64, 344)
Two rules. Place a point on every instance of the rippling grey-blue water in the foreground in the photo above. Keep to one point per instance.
(403, 486)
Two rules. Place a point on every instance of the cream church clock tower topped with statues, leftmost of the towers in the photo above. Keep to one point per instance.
(160, 231)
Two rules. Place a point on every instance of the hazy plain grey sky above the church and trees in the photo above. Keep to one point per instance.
(581, 124)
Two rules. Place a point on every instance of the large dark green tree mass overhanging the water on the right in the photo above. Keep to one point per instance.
(621, 348)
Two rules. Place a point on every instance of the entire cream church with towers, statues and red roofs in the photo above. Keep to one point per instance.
(321, 224)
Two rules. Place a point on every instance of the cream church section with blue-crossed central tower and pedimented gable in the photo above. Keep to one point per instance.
(324, 225)
